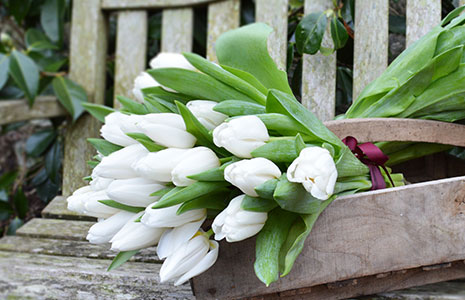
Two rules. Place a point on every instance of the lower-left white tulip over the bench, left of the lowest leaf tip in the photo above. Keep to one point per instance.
(103, 231)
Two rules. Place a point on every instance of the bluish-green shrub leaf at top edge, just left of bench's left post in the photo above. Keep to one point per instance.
(52, 19)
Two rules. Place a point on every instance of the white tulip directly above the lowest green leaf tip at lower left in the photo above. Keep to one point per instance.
(135, 235)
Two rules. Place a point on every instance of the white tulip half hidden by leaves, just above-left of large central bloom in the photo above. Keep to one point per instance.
(203, 111)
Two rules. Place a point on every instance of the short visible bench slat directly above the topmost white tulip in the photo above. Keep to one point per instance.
(177, 30)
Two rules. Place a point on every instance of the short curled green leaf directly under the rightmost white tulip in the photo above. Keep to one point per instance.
(293, 197)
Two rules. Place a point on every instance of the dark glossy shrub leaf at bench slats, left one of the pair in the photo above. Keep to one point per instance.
(309, 33)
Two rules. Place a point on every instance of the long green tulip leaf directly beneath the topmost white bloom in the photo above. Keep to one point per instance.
(195, 84)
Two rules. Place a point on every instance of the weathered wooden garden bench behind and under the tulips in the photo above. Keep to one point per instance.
(49, 257)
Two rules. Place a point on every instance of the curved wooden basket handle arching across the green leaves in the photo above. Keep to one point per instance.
(392, 129)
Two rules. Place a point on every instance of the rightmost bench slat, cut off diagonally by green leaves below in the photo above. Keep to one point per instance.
(422, 15)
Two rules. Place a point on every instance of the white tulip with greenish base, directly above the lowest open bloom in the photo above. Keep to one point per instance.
(167, 217)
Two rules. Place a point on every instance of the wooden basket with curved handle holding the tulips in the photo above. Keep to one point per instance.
(369, 242)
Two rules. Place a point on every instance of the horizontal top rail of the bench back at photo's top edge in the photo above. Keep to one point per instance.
(134, 4)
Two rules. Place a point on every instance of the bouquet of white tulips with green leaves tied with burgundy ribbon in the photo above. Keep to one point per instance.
(228, 143)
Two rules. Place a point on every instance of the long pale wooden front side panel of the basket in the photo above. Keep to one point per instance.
(356, 236)
